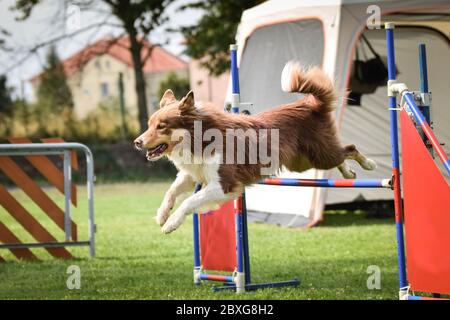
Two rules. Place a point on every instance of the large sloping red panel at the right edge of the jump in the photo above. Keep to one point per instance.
(427, 215)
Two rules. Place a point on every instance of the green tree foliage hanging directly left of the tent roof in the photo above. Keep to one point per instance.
(210, 38)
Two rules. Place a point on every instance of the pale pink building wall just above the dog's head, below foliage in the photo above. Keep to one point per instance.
(207, 88)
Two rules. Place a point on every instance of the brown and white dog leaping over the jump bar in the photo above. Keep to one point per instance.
(306, 138)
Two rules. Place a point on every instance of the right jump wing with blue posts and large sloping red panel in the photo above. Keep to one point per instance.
(427, 267)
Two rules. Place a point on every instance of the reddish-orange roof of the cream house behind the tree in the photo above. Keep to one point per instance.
(160, 59)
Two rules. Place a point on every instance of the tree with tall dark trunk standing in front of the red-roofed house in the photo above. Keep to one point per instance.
(138, 18)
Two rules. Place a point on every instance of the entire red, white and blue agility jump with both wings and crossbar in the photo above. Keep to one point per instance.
(428, 261)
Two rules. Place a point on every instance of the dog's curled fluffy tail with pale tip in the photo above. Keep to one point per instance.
(313, 81)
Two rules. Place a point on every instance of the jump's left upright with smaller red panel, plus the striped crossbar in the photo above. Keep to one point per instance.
(214, 251)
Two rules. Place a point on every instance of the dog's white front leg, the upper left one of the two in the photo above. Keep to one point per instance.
(183, 183)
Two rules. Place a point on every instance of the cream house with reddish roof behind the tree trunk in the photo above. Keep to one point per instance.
(93, 74)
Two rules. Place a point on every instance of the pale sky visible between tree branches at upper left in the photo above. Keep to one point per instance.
(49, 20)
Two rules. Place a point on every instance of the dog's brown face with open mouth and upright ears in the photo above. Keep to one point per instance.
(157, 139)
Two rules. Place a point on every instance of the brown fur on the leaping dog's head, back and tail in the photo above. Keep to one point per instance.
(307, 133)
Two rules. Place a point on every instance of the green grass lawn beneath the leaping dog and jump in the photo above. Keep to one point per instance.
(136, 261)
